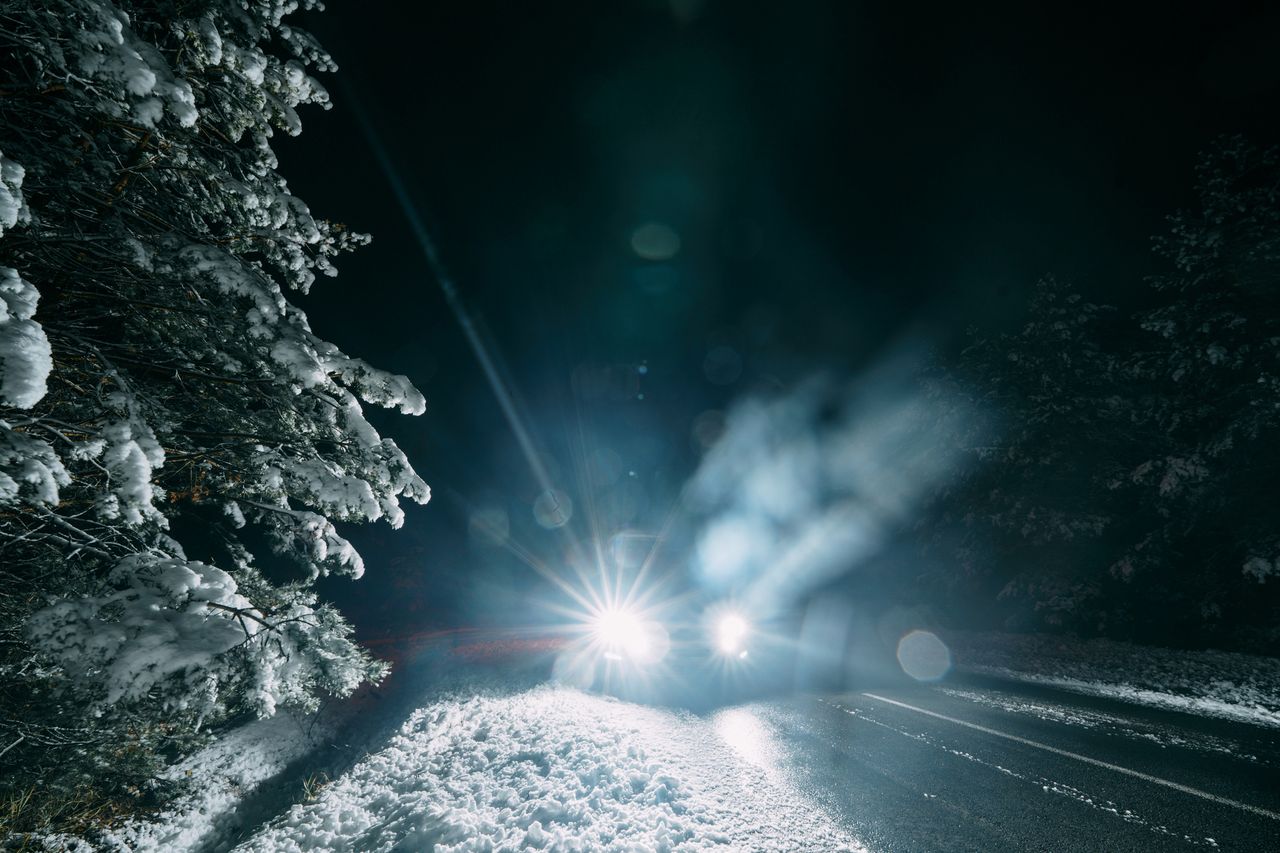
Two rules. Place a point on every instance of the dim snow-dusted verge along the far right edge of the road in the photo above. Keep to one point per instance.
(1220, 685)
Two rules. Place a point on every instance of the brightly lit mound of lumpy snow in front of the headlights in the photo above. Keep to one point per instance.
(554, 768)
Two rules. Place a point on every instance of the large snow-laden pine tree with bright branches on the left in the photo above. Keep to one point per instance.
(166, 412)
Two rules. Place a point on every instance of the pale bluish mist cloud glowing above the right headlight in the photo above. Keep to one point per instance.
(808, 486)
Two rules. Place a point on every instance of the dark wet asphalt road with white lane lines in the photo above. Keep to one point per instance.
(985, 765)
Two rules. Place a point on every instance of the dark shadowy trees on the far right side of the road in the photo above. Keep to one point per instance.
(1119, 473)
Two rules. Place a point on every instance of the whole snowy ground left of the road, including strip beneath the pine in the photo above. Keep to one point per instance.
(486, 756)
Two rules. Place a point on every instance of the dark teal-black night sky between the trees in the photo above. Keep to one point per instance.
(842, 177)
